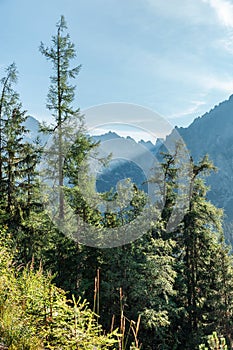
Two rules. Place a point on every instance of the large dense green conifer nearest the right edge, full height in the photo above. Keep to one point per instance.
(203, 302)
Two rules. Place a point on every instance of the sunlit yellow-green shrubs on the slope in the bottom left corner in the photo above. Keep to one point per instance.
(35, 314)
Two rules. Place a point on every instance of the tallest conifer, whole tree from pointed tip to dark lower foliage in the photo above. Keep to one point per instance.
(70, 146)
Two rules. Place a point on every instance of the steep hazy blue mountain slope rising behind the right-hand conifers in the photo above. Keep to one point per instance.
(212, 134)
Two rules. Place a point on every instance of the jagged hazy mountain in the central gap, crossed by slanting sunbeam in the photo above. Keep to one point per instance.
(130, 159)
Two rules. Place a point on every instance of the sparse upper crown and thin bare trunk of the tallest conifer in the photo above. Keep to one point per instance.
(61, 93)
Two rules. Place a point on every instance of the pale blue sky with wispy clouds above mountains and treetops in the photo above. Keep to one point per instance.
(173, 57)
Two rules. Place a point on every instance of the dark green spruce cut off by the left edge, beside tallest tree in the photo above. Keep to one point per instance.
(18, 160)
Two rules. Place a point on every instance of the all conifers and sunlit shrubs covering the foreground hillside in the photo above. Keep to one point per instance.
(167, 289)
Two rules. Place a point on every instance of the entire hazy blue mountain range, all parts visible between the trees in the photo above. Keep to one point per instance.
(210, 134)
